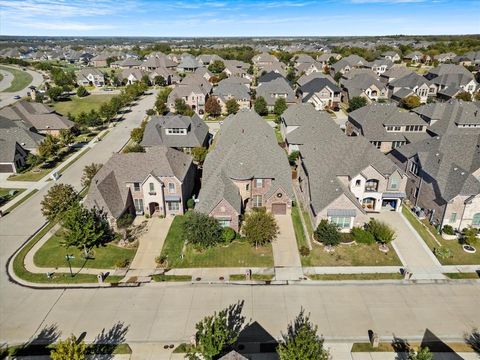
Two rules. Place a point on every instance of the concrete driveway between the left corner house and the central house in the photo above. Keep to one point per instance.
(150, 244)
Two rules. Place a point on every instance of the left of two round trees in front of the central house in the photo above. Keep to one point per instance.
(201, 230)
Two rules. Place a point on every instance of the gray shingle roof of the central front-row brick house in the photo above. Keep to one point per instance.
(246, 149)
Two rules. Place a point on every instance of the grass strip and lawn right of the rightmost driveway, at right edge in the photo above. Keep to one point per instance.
(458, 256)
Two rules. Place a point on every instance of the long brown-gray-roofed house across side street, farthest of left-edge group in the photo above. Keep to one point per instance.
(37, 117)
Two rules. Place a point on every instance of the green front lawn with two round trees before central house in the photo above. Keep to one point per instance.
(238, 253)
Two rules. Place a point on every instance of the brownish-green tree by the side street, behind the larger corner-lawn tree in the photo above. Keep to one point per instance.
(58, 200)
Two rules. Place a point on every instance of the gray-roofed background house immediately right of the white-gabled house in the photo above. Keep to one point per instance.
(366, 86)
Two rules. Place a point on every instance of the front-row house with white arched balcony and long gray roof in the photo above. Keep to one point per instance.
(340, 178)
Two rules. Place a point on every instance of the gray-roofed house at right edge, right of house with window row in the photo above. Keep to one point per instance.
(453, 116)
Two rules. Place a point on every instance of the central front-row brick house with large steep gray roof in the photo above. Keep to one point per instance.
(245, 170)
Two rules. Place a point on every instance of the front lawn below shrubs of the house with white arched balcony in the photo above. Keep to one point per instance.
(351, 255)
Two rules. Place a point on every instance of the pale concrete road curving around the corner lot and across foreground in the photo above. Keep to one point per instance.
(167, 312)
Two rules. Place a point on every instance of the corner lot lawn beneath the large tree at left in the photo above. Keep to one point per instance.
(52, 254)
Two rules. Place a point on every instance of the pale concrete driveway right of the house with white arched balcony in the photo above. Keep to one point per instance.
(411, 248)
